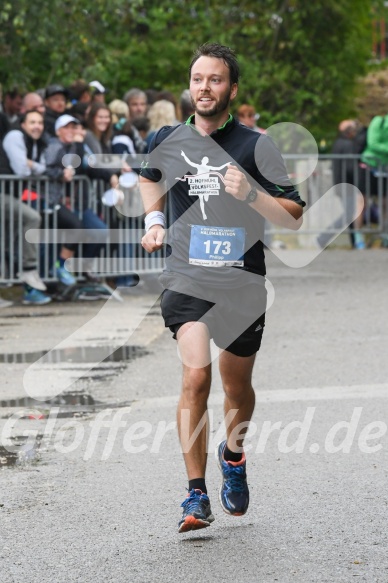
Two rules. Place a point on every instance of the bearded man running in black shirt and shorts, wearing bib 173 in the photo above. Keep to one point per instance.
(215, 270)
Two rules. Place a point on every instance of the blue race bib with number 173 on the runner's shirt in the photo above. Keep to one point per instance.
(217, 246)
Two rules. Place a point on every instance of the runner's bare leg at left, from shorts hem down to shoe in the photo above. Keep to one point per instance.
(192, 419)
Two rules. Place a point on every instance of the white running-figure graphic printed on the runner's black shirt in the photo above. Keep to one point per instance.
(205, 182)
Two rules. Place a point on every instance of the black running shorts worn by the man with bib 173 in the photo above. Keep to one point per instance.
(236, 323)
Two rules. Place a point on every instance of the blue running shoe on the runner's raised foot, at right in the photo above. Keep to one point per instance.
(234, 492)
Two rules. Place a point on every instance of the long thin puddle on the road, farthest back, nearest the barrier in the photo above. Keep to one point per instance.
(80, 354)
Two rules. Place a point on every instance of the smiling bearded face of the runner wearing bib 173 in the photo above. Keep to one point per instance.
(210, 87)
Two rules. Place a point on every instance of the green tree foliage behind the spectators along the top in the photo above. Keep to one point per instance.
(299, 59)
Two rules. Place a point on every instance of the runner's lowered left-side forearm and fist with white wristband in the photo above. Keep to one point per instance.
(154, 198)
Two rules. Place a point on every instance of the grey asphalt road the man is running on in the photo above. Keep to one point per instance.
(95, 493)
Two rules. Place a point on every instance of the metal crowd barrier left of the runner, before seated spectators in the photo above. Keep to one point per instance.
(121, 252)
